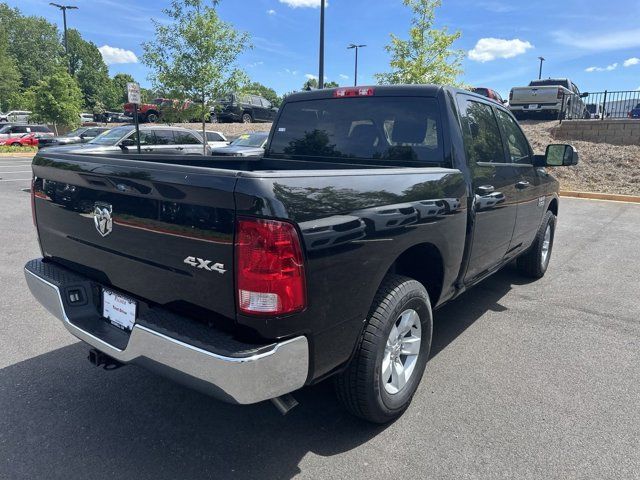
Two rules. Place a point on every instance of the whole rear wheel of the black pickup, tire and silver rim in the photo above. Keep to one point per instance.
(381, 379)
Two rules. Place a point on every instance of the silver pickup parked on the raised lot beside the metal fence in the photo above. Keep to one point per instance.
(550, 98)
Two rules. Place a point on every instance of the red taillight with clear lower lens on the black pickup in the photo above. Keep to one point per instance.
(269, 267)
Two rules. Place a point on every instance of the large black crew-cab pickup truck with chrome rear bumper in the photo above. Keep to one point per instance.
(251, 278)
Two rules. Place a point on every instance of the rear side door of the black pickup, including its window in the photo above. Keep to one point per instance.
(494, 197)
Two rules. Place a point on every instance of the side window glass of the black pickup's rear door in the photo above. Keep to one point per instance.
(482, 140)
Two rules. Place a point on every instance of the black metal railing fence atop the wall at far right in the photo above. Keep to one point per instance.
(601, 105)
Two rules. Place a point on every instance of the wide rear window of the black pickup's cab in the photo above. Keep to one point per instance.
(384, 129)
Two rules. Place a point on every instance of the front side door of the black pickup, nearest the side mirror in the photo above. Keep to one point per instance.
(530, 190)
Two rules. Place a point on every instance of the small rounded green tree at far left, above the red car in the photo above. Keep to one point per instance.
(57, 99)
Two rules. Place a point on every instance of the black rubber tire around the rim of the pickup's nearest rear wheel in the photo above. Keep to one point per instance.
(360, 388)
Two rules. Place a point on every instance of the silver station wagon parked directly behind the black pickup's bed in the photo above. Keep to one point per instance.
(155, 139)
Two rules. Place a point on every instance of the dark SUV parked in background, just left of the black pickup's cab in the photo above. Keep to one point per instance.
(243, 108)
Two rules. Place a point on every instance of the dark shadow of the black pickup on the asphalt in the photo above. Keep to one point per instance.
(60, 417)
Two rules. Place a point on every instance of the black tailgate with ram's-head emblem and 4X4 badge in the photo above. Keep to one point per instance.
(163, 233)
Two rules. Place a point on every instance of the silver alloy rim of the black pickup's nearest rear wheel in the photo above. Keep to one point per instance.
(401, 351)
